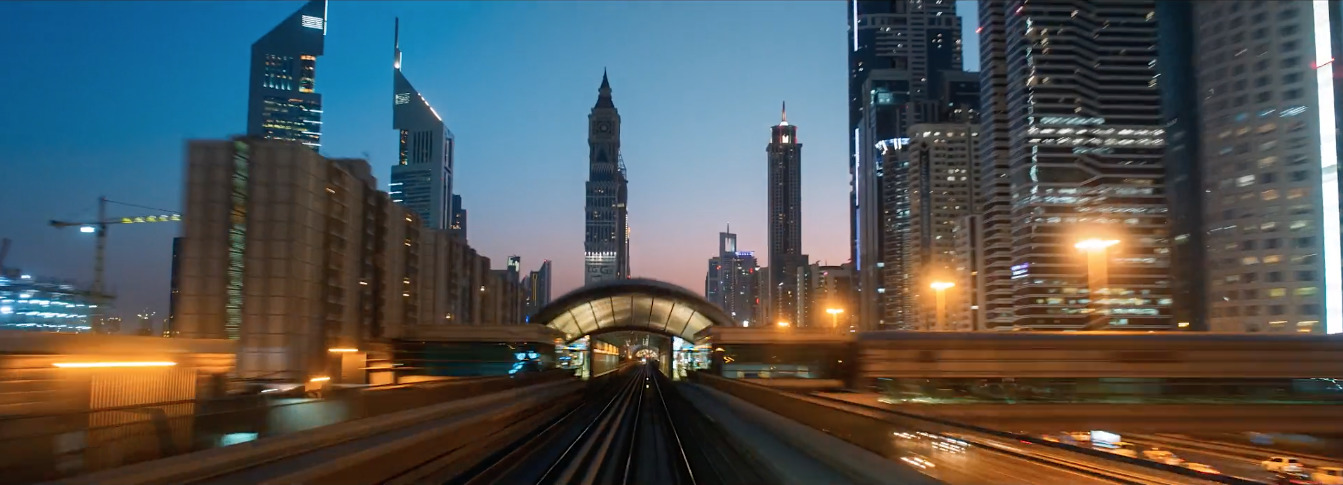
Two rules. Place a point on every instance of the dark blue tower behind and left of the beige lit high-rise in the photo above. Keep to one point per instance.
(905, 65)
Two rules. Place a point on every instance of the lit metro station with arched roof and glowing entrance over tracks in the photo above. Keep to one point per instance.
(609, 323)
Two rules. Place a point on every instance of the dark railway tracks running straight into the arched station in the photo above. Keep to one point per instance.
(632, 428)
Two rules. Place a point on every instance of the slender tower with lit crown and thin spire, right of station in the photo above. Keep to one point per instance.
(785, 212)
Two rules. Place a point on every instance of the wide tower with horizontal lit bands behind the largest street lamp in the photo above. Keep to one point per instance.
(1090, 245)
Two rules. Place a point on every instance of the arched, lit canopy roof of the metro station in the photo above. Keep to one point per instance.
(648, 306)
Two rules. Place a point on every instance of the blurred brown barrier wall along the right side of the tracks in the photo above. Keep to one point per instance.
(853, 423)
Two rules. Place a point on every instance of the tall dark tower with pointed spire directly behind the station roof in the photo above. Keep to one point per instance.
(606, 247)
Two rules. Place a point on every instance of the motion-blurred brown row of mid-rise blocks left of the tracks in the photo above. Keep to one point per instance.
(295, 255)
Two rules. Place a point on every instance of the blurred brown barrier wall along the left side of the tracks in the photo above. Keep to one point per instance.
(62, 445)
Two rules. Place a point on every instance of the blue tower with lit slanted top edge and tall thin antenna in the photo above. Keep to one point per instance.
(422, 179)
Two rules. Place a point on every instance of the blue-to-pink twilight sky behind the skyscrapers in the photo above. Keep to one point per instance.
(100, 97)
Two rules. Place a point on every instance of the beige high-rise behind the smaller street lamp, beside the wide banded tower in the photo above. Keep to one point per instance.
(941, 183)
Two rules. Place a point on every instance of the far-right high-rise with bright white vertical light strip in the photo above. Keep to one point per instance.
(1270, 150)
